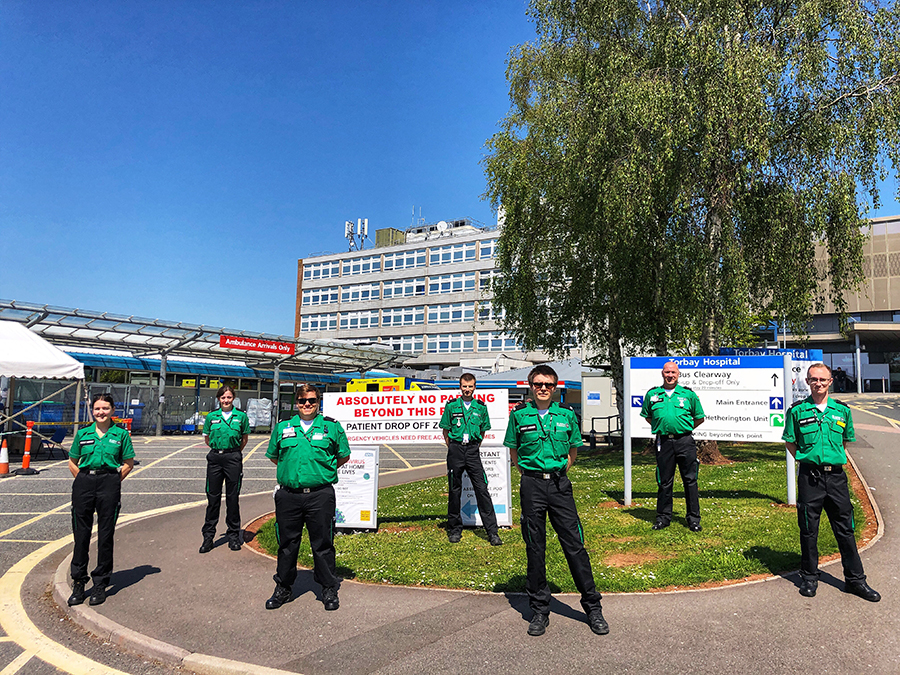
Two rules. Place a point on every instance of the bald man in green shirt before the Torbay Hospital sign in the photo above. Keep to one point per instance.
(674, 412)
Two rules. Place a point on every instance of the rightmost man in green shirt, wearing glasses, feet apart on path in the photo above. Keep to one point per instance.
(816, 432)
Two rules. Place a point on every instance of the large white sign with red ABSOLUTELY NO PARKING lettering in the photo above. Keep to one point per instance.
(408, 417)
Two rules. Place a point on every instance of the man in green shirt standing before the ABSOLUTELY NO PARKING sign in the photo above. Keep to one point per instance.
(464, 421)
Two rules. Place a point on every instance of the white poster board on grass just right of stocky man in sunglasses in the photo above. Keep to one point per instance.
(356, 492)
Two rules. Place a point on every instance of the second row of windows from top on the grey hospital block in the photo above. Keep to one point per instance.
(400, 288)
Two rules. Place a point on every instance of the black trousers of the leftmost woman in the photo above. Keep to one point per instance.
(101, 493)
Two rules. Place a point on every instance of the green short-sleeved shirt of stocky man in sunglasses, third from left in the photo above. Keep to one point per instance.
(307, 459)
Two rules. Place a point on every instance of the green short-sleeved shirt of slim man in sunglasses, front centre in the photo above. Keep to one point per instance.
(542, 443)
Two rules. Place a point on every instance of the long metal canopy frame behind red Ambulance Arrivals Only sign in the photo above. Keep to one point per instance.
(85, 329)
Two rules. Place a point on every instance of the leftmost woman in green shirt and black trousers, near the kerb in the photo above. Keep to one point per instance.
(99, 459)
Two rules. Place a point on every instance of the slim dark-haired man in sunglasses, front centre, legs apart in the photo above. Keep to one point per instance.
(543, 438)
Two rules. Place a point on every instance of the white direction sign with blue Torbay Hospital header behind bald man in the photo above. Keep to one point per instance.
(743, 396)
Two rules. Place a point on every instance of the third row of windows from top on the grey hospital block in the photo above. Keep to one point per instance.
(460, 312)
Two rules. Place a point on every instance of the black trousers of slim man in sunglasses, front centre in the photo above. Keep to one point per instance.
(540, 498)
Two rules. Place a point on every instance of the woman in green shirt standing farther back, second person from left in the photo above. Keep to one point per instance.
(225, 432)
